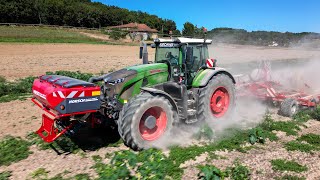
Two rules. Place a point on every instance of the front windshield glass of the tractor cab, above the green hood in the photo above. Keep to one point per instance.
(170, 54)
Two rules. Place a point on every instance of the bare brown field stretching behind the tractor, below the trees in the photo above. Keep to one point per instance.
(21, 60)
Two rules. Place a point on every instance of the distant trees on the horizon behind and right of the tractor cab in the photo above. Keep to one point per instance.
(260, 38)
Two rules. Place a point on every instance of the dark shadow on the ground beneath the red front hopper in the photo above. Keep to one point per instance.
(87, 139)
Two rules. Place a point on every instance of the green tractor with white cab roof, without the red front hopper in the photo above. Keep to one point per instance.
(182, 85)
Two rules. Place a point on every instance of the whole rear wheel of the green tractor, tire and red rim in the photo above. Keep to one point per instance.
(217, 99)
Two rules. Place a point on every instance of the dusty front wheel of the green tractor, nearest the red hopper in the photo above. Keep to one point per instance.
(129, 125)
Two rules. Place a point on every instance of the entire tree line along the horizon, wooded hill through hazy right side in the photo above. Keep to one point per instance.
(84, 13)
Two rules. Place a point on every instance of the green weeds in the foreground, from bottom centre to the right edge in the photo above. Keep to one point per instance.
(137, 165)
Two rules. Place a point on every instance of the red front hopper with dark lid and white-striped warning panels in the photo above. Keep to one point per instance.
(66, 95)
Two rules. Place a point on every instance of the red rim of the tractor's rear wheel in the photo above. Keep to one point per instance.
(219, 102)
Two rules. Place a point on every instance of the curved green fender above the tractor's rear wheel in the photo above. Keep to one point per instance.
(204, 76)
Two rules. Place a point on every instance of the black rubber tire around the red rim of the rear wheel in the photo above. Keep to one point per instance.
(205, 113)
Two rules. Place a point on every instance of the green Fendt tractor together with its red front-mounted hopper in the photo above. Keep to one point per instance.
(182, 85)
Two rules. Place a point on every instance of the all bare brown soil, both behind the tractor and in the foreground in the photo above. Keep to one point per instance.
(19, 118)
